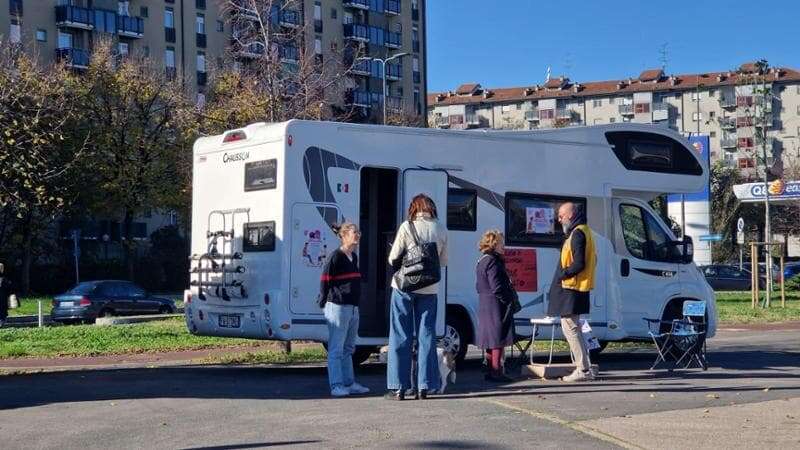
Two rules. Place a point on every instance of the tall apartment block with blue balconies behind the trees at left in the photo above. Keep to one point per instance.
(189, 36)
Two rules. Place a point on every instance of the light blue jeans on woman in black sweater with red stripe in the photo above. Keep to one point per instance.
(342, 332)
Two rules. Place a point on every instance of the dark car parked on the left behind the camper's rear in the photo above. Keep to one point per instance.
(92, 299)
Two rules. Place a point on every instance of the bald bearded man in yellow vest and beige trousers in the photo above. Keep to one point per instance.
(572, 282)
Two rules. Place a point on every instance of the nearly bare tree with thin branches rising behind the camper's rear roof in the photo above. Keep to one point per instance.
(276, 74)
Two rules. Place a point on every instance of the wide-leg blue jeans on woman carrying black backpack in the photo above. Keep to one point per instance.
(412, 312)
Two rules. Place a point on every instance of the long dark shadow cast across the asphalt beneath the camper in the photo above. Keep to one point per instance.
(619, 372)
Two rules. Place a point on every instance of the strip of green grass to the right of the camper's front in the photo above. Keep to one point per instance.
(735, 308)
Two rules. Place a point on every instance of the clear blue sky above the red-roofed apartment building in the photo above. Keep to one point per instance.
(501, 43)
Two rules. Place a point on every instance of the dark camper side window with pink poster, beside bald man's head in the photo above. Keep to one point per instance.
(532, 220)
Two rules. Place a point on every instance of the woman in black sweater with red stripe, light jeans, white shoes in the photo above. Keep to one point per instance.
(340, 292)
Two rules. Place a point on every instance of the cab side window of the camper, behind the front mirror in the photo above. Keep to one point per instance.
(644, 237)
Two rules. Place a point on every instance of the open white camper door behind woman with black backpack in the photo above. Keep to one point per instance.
(432, 183)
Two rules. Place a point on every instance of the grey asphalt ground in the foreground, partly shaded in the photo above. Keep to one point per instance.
(749, 397)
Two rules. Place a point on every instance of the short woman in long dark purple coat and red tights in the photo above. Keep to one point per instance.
(496, 298)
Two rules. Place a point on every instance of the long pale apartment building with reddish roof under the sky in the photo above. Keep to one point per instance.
(723, 105)
